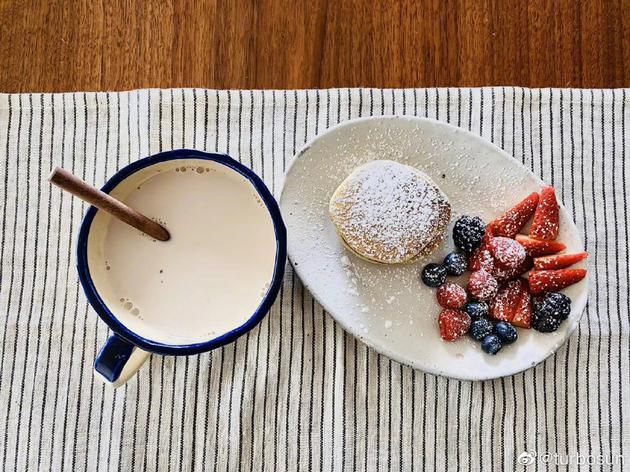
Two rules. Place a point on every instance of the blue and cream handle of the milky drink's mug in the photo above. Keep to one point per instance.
(118, 361)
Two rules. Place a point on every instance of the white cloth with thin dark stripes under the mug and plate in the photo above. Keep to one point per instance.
(298, 392)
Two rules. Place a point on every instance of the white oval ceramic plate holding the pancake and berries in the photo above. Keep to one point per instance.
(387, 307)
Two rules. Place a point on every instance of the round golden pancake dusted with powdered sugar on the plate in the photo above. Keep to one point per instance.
(390, 213)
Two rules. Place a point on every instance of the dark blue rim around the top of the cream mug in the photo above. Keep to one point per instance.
(161, 348)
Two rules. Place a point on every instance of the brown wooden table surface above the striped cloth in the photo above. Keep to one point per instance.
(115, 44)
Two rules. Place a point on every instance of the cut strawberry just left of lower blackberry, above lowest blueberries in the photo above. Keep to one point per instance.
(513, 304)
